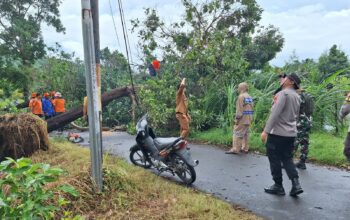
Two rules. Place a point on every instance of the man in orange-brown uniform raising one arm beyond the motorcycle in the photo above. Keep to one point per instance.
(182, 114)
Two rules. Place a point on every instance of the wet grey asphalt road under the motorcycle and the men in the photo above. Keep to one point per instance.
(240, 179)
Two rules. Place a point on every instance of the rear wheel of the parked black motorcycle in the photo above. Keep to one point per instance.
(184, 171)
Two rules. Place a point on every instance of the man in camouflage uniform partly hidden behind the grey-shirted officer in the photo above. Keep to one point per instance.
(304, 125)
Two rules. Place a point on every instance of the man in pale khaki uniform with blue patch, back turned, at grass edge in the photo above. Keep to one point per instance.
(243, 119)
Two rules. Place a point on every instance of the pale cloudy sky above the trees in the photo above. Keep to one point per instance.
(309, 26)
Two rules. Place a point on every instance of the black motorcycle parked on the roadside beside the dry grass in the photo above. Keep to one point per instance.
(164, 154)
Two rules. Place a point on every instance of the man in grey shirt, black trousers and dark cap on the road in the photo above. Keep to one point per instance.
(279, 135)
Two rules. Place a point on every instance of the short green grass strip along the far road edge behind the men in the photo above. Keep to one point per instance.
(324, 148)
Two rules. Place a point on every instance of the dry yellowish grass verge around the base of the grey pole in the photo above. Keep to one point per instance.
(131, 192)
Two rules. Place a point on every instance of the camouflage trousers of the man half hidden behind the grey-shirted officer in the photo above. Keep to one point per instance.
(303, 136)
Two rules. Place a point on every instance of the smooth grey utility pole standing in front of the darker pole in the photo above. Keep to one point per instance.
(94, 105)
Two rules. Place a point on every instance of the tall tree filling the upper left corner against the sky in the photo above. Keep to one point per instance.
(20, 27)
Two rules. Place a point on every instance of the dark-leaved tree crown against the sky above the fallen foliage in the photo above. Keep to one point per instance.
(211, 24)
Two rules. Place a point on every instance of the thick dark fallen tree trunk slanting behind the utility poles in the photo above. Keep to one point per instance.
(75, 113)
